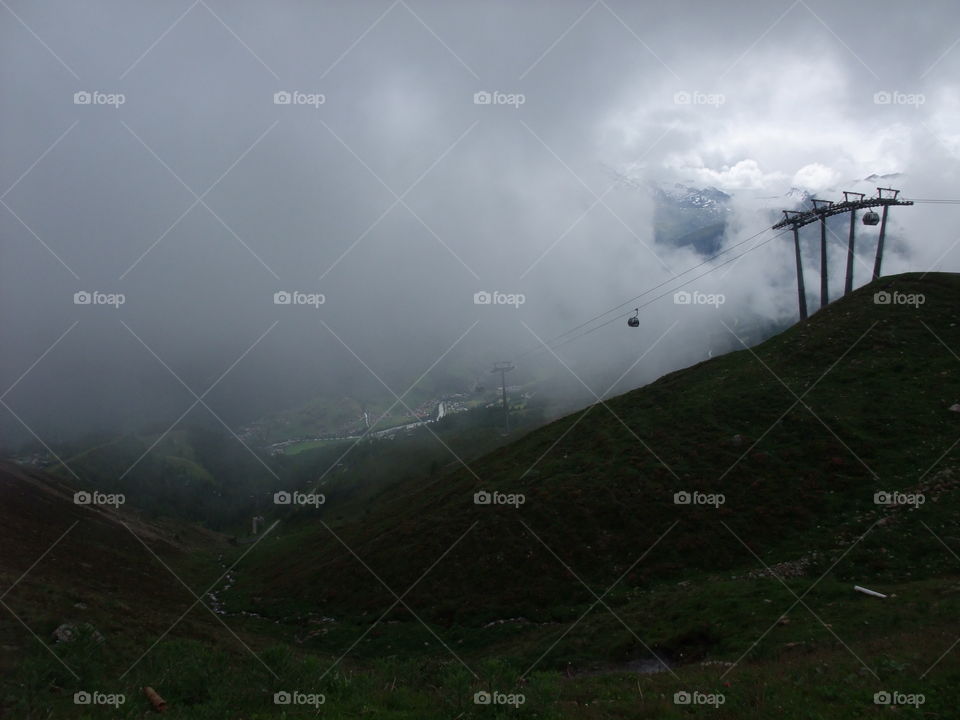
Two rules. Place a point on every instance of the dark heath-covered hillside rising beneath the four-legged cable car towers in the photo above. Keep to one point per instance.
(797, 433)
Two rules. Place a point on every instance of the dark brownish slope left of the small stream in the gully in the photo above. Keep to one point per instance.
(87, 566)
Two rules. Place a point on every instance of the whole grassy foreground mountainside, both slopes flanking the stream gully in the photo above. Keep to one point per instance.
(405, 598)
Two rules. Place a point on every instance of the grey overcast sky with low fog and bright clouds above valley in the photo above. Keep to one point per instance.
(184, 186)
